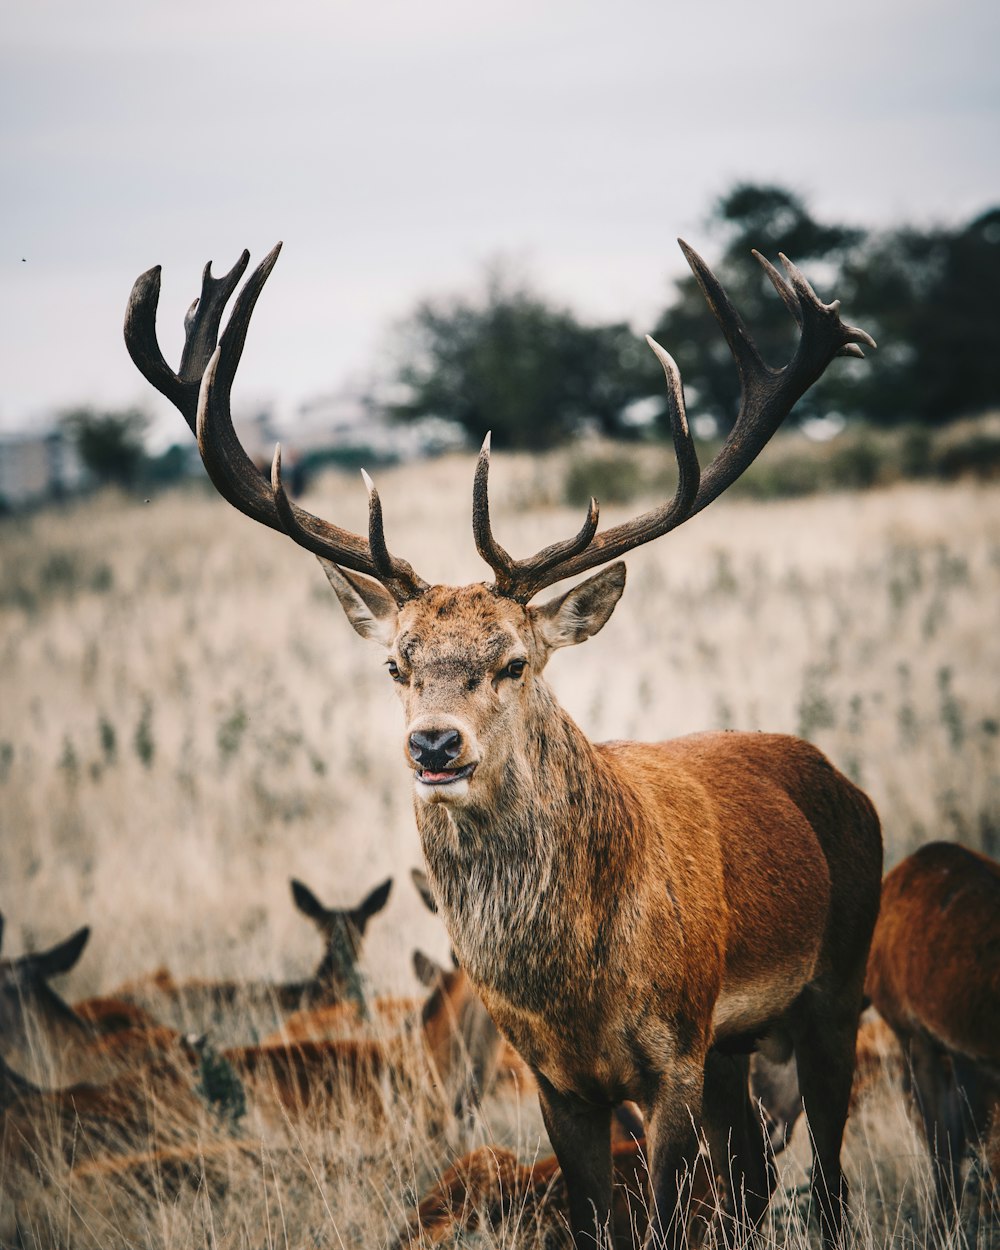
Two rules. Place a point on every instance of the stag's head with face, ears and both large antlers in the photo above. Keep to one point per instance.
(468, 662)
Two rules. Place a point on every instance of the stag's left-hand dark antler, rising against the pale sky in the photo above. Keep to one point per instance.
(202, 392)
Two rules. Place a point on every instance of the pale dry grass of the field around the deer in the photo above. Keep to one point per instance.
(188, 721)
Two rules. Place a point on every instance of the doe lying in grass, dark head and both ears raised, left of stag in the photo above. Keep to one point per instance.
(337, 978)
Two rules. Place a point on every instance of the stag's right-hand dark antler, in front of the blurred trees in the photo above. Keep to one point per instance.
(767, 397)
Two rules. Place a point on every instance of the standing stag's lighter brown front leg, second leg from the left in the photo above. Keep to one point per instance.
(673, 1144)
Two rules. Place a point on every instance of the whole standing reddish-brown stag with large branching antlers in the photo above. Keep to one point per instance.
(636, 917)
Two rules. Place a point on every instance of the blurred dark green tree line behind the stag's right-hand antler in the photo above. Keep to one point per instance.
(511, 362)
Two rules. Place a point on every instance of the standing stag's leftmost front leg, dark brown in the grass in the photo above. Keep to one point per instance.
(581, 1134)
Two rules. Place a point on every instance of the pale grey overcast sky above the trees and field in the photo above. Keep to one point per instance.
(397, 148)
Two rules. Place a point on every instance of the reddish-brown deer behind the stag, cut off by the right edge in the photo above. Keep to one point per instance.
(934, 974)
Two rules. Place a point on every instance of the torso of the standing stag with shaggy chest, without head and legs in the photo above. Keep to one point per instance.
(683, 899)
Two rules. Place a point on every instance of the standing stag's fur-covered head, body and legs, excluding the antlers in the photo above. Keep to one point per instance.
(637, 917)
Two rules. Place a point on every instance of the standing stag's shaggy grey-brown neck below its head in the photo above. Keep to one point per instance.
(516, 874)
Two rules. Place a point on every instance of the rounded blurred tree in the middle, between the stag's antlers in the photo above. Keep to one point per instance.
(509, 362)
